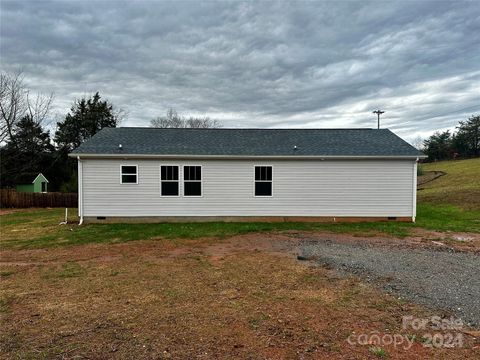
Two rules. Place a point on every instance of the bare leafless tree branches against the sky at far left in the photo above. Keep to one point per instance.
(16, 102)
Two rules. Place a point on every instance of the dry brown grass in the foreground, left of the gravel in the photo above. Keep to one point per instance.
(241, 298)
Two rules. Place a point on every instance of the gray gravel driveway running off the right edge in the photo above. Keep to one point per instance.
(439, 279)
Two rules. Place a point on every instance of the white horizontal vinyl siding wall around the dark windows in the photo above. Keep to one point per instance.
(300, 188)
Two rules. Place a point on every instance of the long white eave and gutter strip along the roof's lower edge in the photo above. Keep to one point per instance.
(183, 156)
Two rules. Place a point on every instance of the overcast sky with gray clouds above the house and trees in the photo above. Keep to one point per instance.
(298, 64)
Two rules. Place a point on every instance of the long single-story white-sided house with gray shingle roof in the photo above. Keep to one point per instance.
(154, 174)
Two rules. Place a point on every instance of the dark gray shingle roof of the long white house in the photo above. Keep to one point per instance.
(247, 142)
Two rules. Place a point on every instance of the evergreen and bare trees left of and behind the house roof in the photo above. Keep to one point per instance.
(28, 148)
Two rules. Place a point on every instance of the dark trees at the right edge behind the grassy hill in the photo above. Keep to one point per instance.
(464, 142)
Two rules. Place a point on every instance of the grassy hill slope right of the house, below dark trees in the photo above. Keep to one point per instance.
(460, 185)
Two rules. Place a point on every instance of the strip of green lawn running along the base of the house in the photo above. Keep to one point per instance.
(38, 228)
